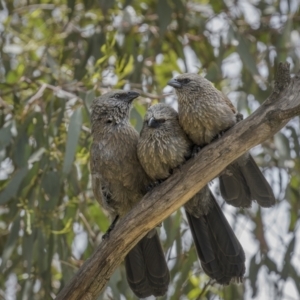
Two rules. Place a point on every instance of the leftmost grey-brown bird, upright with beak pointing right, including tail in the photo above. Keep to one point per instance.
(119, 182)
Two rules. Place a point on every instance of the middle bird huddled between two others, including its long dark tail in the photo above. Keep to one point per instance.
(162, 147)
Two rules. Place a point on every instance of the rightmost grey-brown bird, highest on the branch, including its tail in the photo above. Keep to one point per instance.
(204, 114)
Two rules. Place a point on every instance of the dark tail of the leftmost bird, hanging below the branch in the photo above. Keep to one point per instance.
(146, 268)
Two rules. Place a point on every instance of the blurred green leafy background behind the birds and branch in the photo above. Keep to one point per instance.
(56, 56)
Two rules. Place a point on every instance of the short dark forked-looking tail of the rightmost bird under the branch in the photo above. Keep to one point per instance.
(244, 182)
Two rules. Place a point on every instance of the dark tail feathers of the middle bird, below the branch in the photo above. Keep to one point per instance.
(222, 256)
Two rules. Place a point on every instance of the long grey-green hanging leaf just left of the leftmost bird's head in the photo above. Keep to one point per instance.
(72, 139)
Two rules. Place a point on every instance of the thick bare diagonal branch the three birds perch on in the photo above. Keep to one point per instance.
(158, 204)
